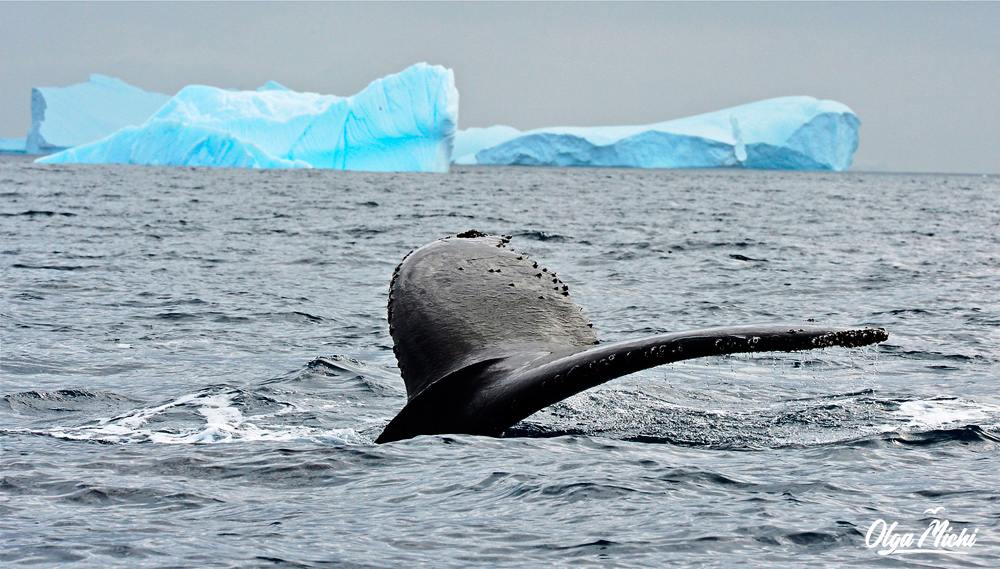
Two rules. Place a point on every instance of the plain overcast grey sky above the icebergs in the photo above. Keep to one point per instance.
(923, 77)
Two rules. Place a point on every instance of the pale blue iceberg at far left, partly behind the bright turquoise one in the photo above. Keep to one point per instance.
(63, 117)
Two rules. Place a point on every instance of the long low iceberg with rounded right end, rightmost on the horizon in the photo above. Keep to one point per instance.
(791, 133)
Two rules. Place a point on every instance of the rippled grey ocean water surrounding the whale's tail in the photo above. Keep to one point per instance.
(195, 363)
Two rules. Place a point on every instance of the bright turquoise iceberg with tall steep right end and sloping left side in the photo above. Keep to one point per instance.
(402, 122)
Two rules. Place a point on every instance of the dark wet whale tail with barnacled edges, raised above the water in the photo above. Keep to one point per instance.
(485, 336)
